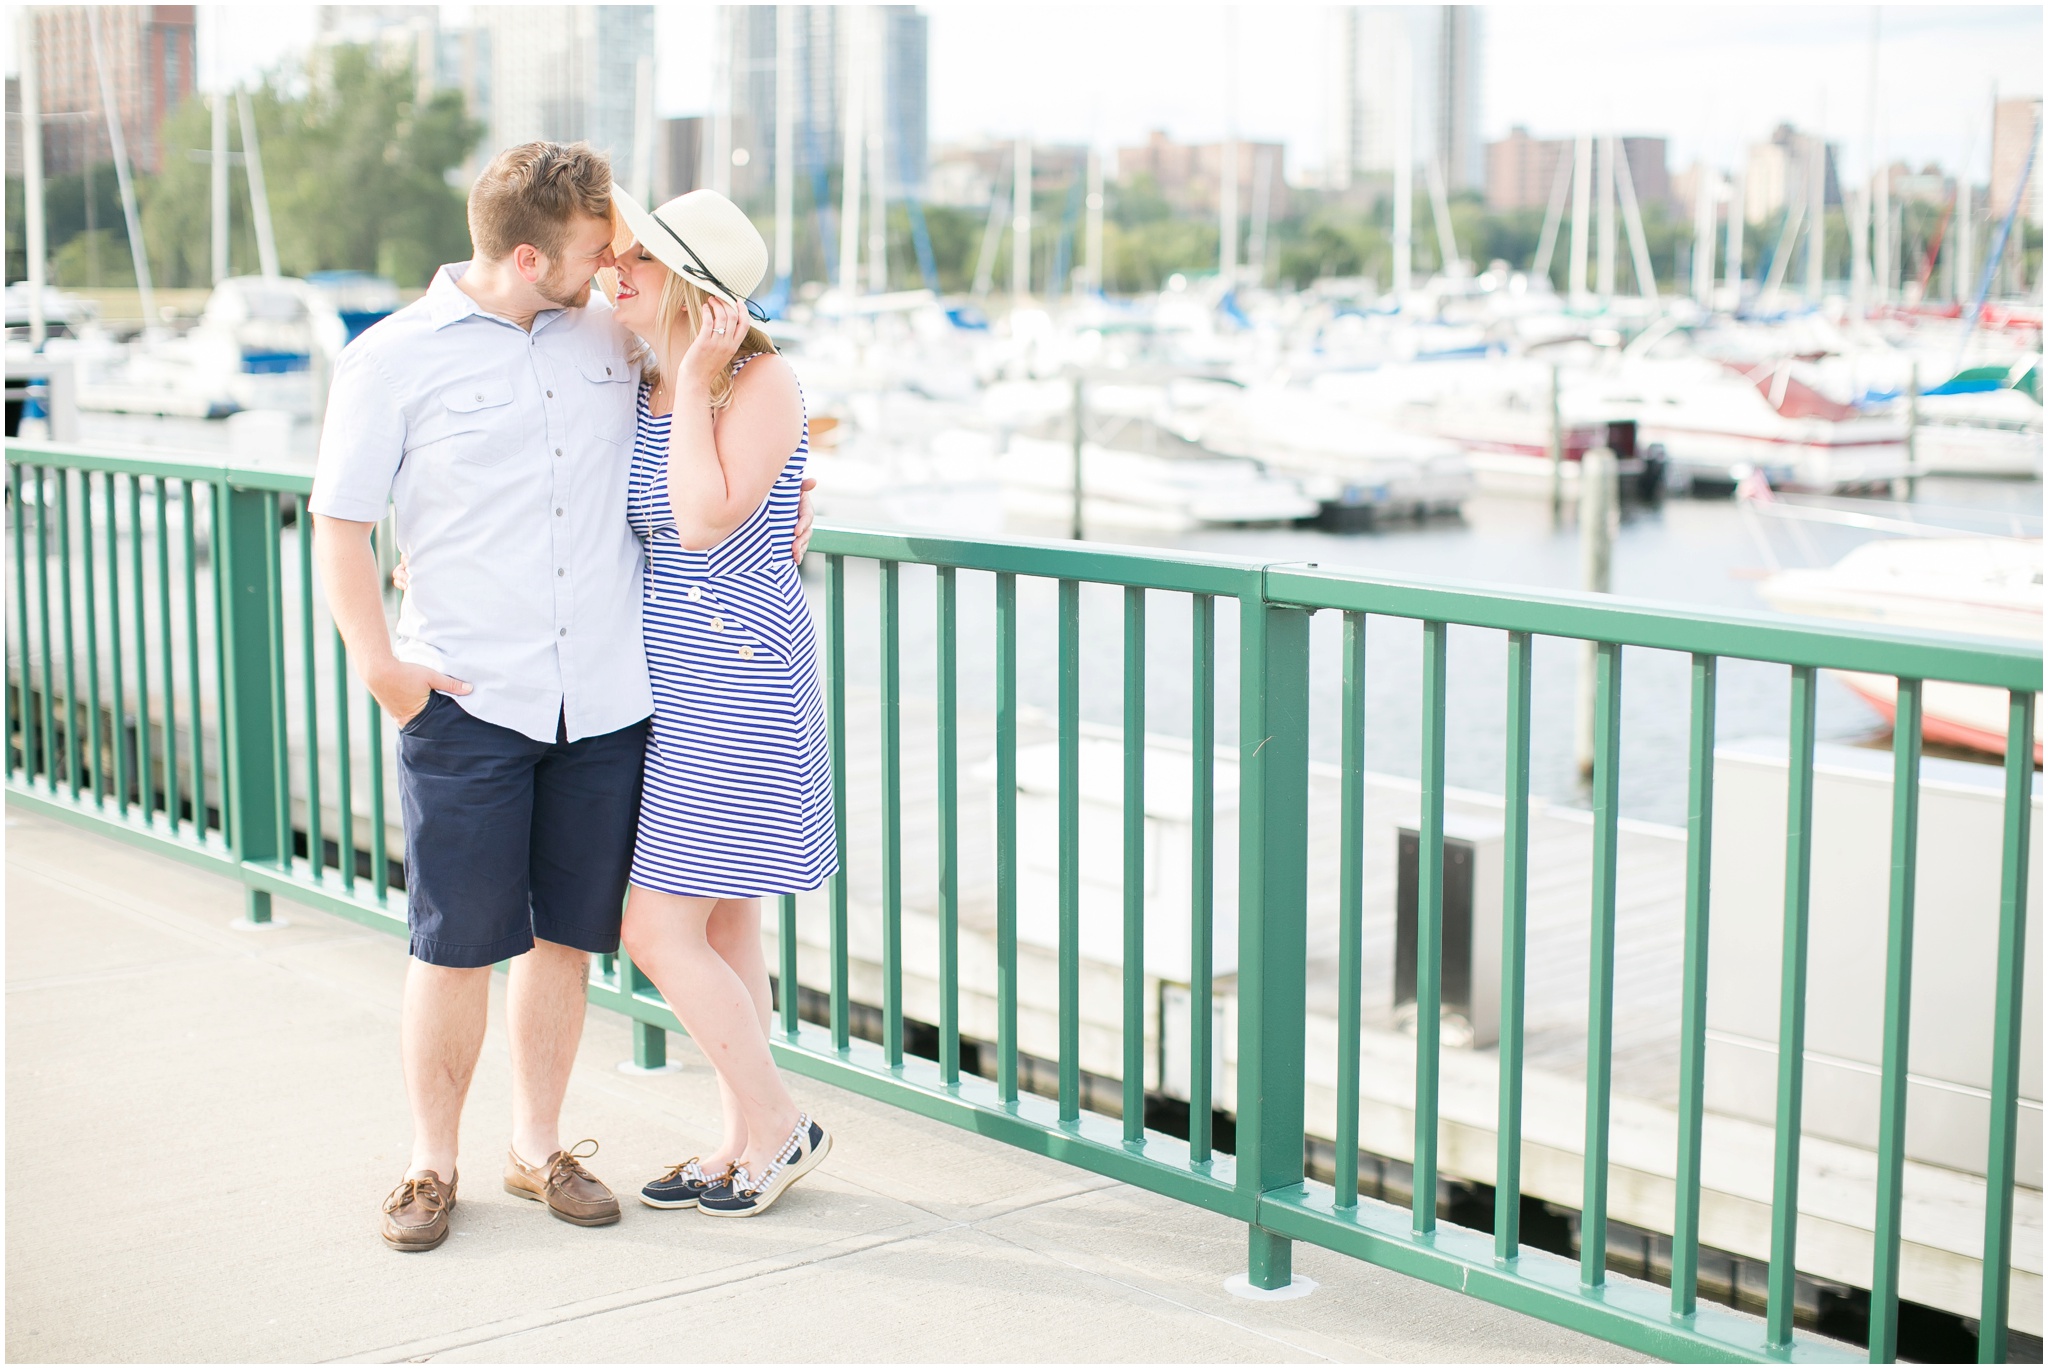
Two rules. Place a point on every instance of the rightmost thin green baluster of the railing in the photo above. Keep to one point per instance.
(2006, 1028)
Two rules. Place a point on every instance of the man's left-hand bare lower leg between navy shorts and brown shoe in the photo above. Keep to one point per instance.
(441, 1034)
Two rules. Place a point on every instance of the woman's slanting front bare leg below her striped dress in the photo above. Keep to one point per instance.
(669, 938)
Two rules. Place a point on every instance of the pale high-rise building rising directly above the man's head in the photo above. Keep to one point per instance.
(568, 73)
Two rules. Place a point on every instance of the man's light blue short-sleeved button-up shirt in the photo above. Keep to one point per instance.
(507, 456)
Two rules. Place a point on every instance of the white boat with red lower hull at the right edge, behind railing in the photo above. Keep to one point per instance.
(1986, 587)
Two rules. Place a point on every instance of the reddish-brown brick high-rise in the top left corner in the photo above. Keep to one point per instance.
(151, 60)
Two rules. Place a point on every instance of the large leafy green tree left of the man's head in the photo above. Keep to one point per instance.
(357, 177)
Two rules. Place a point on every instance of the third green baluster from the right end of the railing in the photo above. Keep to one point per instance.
(1793, 1011)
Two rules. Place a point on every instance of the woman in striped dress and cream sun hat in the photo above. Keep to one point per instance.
(738, 794)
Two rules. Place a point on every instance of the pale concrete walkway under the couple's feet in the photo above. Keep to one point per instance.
(202, 1124)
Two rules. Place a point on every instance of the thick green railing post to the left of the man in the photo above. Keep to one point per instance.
(251, 698)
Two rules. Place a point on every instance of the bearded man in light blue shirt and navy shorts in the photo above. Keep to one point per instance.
(497, 415)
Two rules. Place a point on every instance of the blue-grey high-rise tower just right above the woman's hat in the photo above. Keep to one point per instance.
(824, 40)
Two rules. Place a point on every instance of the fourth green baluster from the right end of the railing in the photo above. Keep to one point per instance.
(1693, 991)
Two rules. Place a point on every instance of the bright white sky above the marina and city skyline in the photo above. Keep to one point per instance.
(1711, 79)
